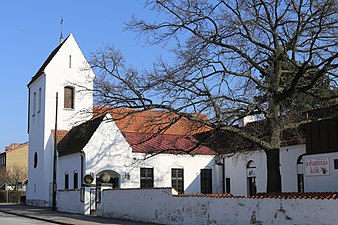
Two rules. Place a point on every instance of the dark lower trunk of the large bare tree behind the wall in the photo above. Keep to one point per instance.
(274, 182)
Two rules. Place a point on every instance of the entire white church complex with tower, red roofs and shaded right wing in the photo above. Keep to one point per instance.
(117, 148)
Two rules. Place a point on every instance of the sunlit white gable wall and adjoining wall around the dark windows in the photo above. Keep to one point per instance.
(108, 150)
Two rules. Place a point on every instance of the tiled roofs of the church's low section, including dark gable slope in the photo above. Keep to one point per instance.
(177, 139)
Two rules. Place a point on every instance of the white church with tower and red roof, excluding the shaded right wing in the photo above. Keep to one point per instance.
(95, 145)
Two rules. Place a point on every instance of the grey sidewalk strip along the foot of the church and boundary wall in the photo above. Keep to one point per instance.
(46, 214)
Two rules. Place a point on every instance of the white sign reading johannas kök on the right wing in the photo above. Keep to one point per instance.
(317, 167)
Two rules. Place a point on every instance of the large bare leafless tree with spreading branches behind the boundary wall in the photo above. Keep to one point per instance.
(229, 63)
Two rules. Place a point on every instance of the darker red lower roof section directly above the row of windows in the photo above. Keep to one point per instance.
(165, 143)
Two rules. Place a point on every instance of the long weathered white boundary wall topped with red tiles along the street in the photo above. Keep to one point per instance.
(161, 206)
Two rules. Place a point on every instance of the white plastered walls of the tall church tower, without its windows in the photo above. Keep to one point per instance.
(60, 72)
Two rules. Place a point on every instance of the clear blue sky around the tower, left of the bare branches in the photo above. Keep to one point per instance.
(30, 30)
